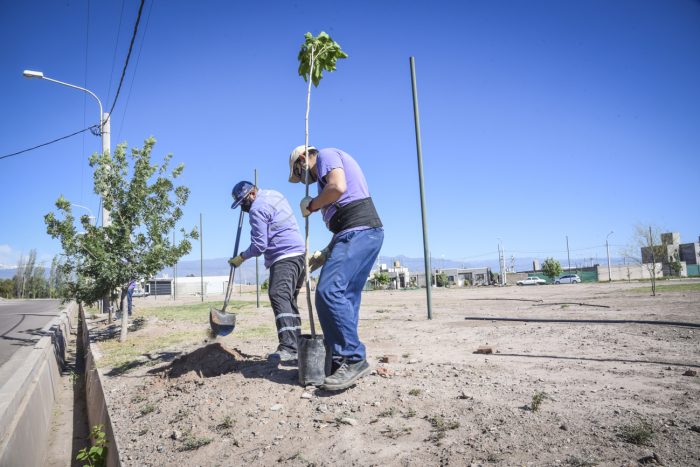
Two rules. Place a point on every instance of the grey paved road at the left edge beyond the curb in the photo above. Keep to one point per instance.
(21, 322)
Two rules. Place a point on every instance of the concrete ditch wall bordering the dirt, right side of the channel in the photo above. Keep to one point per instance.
(97, 410)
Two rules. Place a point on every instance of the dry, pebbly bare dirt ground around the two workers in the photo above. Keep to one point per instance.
(551, 393)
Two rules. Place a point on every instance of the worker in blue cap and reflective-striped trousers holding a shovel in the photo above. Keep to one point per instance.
(274, 233)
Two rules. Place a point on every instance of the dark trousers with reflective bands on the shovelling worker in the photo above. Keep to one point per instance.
(285, 277)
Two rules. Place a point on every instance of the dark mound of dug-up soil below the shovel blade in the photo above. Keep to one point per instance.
(208, 361)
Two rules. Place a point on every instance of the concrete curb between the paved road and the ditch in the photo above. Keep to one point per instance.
(28, 393)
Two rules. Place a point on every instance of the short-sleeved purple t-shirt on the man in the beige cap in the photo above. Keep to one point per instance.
(356, 185)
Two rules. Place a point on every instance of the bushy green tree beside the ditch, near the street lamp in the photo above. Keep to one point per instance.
(145, 206)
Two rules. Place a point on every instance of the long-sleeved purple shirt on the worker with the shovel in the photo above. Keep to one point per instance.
(273, 229)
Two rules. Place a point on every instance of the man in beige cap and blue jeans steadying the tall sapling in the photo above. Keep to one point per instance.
(348, 211)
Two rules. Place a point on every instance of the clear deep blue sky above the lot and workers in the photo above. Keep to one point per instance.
(540, 119)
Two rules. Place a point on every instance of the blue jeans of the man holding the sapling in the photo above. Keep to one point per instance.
(339, 290)
